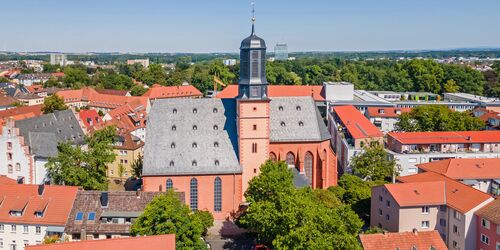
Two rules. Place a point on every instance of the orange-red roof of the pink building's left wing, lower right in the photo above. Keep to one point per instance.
(418, 193)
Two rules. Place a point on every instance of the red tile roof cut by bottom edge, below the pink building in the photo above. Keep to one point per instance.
(404, 240)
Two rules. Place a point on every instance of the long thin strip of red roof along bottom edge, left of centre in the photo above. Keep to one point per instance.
(157, 242)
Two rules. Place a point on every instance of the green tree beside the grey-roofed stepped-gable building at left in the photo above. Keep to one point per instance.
(76, 166)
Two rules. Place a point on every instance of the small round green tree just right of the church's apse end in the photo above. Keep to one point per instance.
(374, 164)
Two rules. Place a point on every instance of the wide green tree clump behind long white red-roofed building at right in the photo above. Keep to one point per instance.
(438, 118)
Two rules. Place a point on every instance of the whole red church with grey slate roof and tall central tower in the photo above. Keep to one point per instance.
(210, 148)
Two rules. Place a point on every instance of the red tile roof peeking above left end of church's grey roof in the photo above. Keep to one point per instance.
(159, 92)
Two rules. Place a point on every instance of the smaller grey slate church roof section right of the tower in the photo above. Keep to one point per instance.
(295, 119)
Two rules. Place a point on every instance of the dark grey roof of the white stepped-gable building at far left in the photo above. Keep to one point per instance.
(43, 132)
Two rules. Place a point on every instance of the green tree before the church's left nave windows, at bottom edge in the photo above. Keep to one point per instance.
(166, 214)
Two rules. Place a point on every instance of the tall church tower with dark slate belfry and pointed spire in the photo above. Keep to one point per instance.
(253, 107)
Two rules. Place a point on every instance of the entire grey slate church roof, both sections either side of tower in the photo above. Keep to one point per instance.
(171, 152)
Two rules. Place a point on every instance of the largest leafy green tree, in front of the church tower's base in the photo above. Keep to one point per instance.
(290, 218)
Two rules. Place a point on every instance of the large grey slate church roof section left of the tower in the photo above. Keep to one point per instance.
(172, 152)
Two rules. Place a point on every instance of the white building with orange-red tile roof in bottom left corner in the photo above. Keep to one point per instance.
(29, 213)
